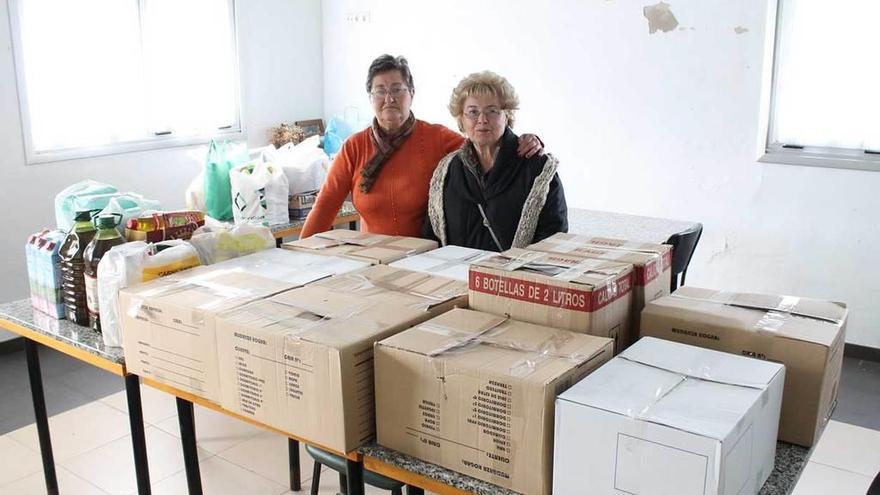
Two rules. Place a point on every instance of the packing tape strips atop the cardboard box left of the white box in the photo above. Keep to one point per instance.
(491, 335)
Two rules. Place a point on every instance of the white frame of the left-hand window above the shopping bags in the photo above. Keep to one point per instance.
(236, 132)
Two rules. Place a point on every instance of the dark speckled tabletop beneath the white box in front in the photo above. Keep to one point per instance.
(790, 461)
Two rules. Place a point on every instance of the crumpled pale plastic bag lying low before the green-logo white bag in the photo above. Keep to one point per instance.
(219, 244)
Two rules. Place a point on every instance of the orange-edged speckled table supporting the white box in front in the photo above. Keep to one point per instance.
(790, 461)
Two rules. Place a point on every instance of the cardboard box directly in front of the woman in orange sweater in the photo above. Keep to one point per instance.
(363, 246)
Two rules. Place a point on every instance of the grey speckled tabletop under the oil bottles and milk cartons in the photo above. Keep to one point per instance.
(21, 313)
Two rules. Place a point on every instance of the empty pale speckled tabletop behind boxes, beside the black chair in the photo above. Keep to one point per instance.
(623, 226)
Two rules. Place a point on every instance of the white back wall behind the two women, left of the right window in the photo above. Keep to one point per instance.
(660, 124)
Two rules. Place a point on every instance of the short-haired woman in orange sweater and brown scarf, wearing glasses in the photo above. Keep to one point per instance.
(388, 166)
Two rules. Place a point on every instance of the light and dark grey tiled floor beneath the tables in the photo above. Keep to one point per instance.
(90, 436)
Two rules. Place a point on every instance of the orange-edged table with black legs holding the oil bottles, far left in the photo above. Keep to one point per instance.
(86, 345)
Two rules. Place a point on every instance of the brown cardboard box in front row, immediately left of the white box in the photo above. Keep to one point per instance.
(474, 392)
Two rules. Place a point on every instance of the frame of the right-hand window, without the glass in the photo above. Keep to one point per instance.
(811, 156)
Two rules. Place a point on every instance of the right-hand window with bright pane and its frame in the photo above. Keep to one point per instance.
(824, 108)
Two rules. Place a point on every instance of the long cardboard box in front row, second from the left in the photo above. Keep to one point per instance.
(302, 360)
